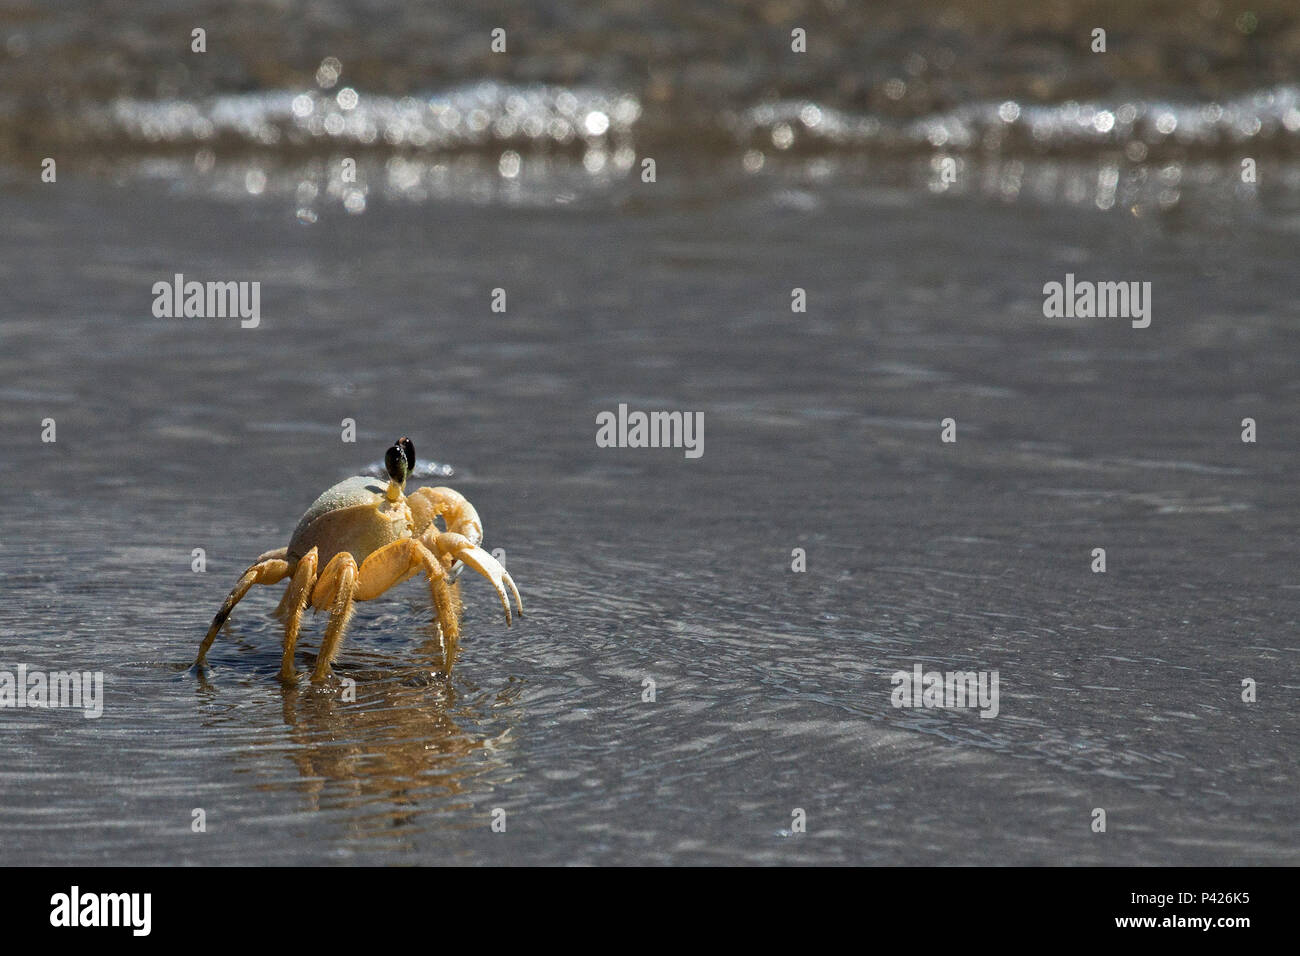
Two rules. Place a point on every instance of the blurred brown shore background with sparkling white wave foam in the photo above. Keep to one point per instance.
(418, 92)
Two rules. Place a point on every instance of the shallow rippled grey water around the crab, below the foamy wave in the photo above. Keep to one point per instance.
(822, 431)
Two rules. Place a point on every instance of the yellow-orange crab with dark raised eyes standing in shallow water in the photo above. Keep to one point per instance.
(362, 538)
